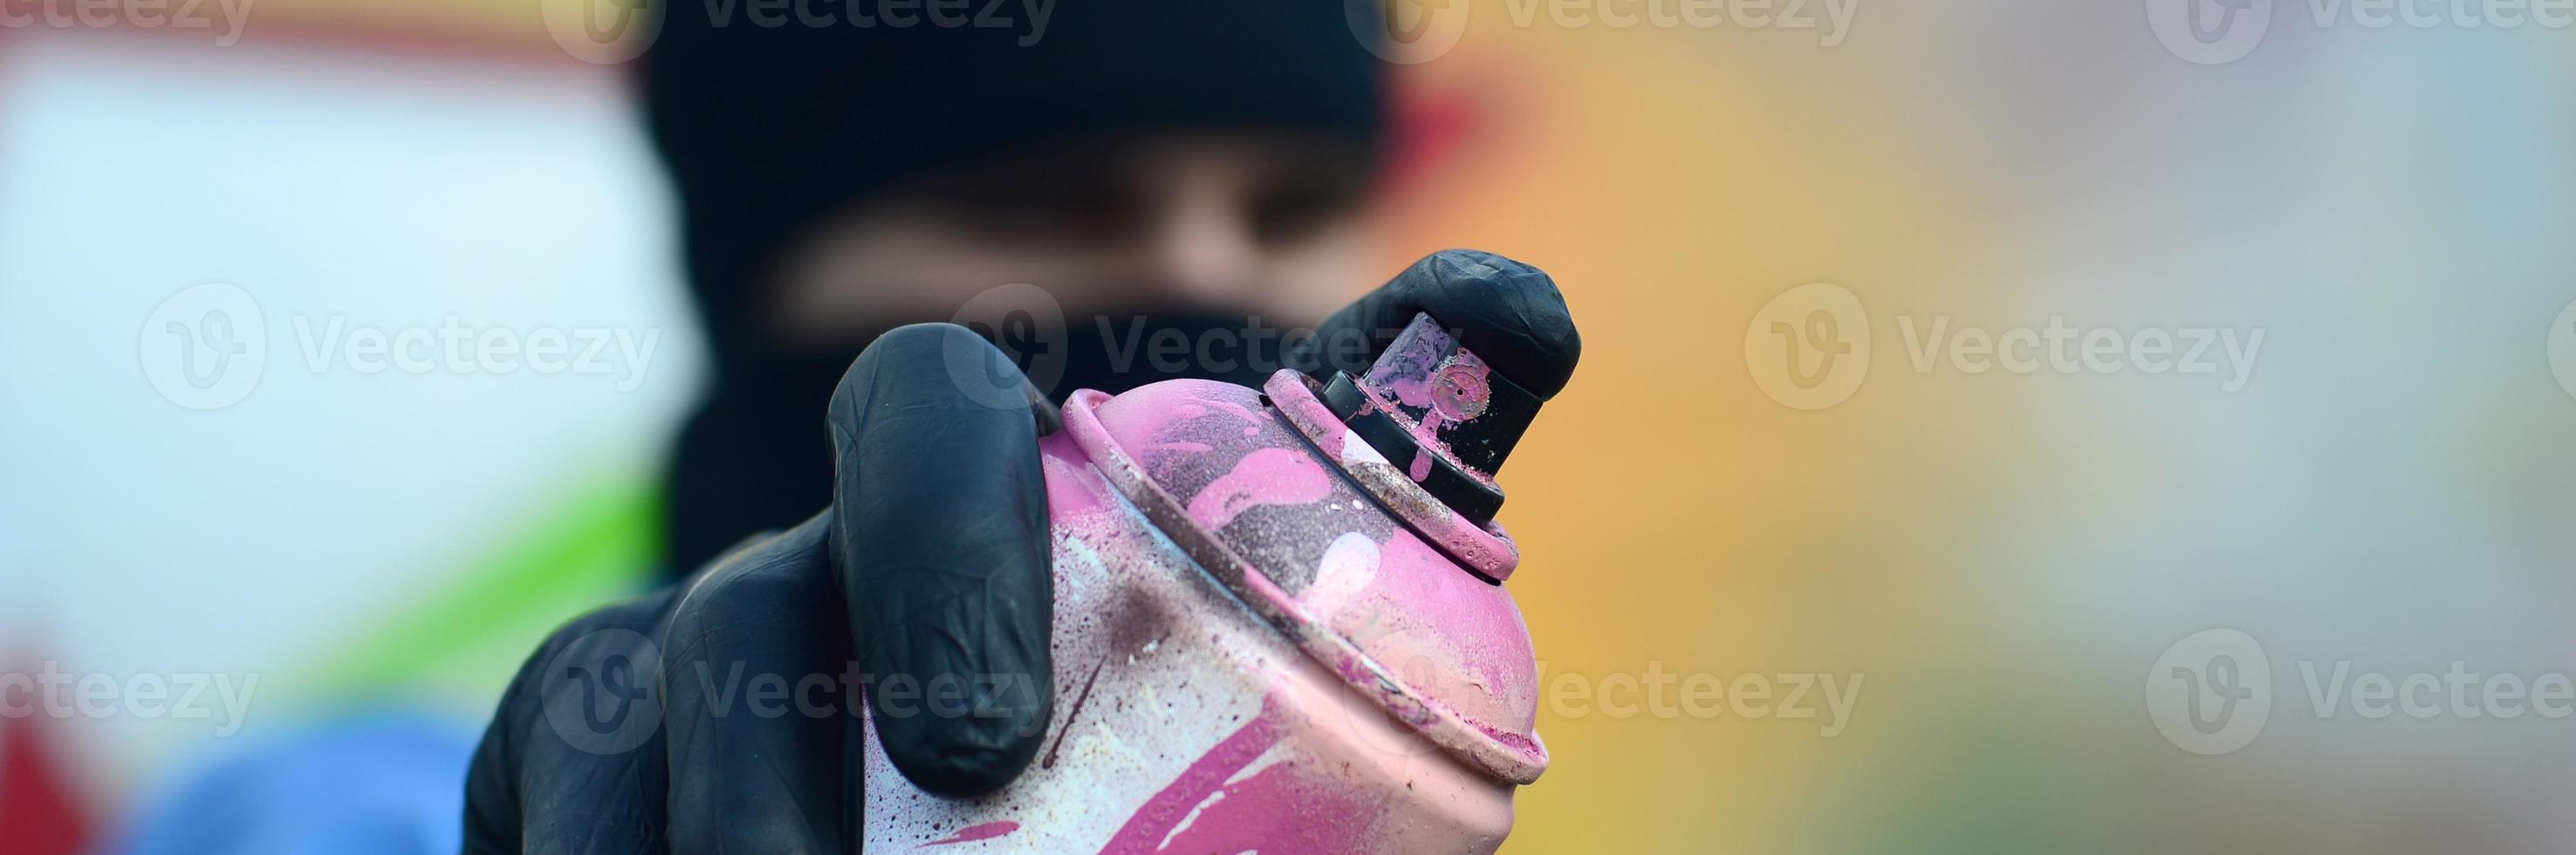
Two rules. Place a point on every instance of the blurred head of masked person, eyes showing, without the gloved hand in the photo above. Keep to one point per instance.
(1204, 161)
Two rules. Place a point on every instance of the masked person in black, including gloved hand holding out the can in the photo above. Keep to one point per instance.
(1075, 189)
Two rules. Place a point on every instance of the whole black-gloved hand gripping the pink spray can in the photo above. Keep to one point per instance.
(717, 717)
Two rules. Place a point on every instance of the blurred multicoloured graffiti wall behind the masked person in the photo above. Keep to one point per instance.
(2152, 429)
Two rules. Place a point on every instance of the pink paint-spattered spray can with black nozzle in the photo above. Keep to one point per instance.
(1279, 625)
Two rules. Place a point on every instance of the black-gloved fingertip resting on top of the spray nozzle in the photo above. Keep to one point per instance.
(1506, 310)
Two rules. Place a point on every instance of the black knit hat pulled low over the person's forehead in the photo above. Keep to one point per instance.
(766, 130)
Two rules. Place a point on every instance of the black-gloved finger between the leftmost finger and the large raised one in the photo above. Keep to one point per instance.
(756, 681)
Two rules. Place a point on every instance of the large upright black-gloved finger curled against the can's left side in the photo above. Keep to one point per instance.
(939, 534)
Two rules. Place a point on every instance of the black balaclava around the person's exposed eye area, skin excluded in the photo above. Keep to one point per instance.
(769, 130)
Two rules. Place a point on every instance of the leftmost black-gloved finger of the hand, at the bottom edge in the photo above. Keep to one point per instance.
(573, 758)
